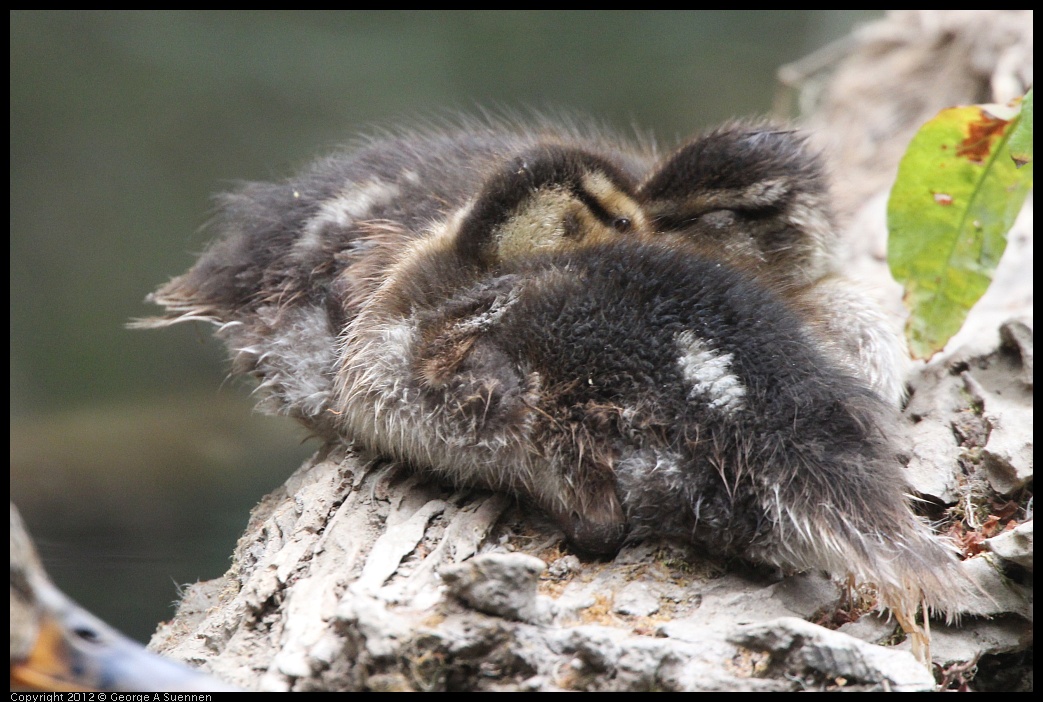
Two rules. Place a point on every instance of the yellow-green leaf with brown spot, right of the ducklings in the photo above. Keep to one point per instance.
(956, 198)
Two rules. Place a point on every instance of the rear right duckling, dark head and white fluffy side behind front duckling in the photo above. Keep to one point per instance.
(755, 195)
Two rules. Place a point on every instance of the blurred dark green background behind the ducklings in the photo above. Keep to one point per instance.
(134, 458)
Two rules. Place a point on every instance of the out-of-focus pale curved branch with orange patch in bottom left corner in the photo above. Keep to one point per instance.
(58, 646)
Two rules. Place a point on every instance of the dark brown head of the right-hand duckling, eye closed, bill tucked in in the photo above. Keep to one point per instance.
(754, 195)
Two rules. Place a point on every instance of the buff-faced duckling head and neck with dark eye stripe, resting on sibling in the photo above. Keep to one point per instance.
(548, 200)
